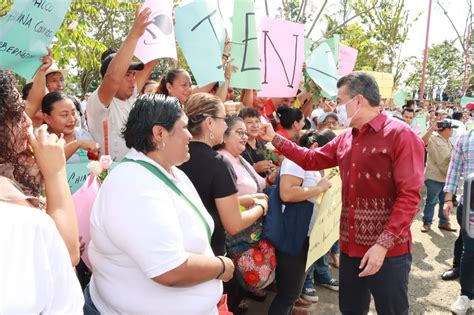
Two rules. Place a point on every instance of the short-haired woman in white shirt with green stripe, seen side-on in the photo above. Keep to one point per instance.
(150, 246)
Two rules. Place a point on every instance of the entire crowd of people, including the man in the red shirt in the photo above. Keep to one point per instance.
(196, 179)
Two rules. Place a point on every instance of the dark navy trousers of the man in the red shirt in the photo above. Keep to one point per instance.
(389, 286)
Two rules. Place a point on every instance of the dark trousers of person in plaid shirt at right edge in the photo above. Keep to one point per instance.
(467, 263)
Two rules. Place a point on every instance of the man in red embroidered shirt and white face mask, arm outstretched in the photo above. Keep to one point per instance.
(381, 166)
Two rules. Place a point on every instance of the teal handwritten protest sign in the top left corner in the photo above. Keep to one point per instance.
(26, 31)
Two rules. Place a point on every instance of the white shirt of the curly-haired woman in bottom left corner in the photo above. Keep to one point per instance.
(36, 275)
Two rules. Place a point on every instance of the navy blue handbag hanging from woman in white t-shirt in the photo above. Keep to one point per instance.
(288, 229)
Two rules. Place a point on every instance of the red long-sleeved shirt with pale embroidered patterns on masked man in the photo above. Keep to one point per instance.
(381, 167)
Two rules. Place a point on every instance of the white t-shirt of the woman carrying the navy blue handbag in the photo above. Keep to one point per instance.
(310, 179)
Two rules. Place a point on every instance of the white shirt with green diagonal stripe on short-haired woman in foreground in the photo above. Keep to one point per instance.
(140, 229)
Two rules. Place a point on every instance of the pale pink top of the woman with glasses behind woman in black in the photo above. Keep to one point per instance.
(246, 183)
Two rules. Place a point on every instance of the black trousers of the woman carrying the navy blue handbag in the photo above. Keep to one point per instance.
(290, 276)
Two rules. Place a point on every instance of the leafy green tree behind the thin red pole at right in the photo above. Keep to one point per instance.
(444, 70)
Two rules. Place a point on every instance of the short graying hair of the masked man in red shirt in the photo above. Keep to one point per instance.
(360, 82)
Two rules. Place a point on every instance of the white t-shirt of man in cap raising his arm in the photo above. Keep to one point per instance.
(116, 115)
